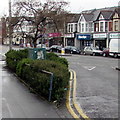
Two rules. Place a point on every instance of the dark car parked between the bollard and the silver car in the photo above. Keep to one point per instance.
(72, 50)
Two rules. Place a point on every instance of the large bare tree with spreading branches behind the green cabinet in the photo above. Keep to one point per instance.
(38, 16)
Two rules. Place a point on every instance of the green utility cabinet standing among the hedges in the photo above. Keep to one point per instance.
(37, 53)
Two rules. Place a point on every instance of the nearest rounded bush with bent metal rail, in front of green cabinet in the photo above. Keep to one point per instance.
(40, 81)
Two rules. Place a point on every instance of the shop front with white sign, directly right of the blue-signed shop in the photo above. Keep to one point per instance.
(100, 40)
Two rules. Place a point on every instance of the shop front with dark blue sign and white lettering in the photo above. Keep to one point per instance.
(84, 40)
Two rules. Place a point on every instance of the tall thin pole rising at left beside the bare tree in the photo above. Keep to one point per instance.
(10, 27)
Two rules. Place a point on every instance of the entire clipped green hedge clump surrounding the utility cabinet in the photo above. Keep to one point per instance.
(31, 72)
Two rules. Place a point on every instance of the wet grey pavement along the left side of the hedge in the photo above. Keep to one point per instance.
(18, 102)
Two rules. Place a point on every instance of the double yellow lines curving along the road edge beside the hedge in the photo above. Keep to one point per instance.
(77, 107)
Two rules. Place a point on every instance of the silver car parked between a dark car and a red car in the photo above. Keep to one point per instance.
(92, 51)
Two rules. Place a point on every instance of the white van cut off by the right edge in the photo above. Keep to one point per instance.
(114, 47)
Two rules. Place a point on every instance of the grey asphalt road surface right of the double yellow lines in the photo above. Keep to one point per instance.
(97, 85)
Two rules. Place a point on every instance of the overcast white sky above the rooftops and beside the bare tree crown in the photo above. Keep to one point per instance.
(75, 6)
